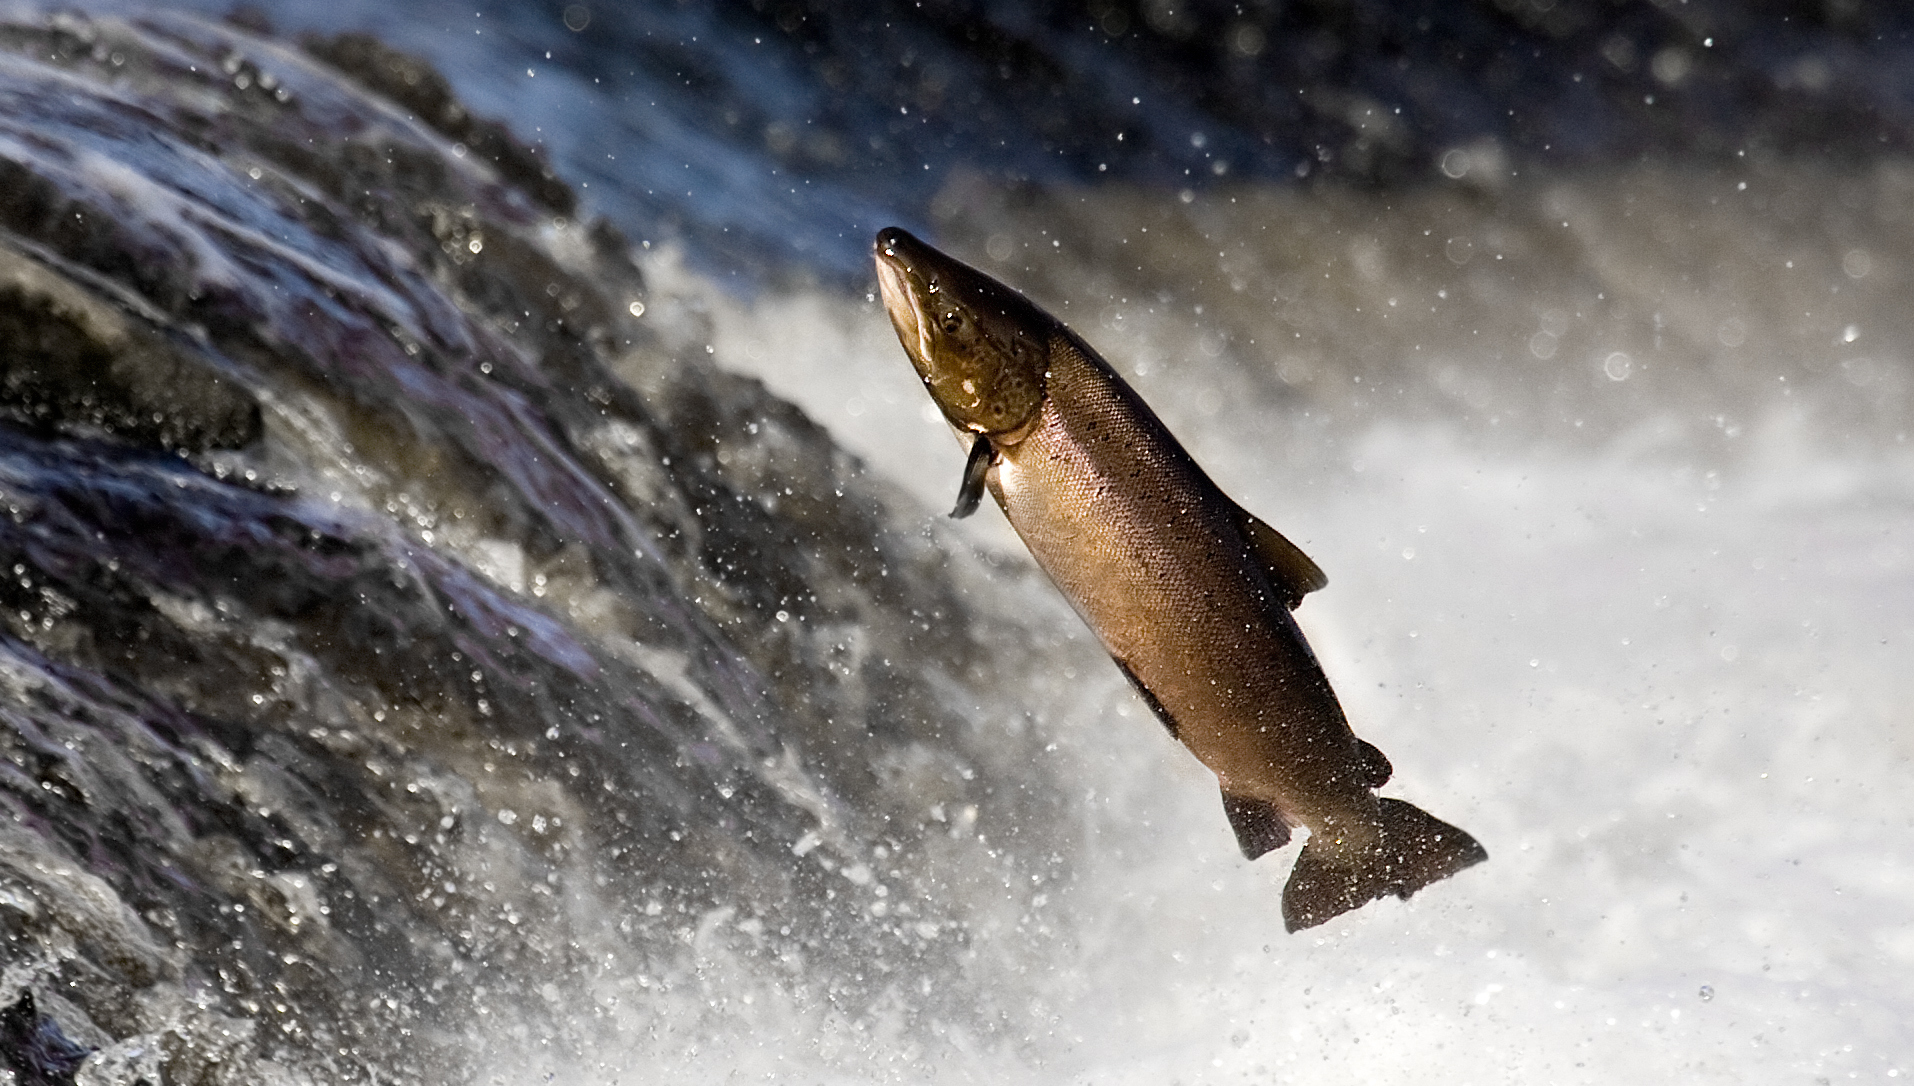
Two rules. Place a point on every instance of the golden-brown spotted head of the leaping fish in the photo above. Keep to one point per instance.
(981, 348)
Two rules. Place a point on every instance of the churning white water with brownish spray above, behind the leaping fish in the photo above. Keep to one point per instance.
(1620, 577)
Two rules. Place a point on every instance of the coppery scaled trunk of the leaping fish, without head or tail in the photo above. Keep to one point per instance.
(1155, 560)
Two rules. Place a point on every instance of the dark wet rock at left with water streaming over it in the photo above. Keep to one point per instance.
(397, 635)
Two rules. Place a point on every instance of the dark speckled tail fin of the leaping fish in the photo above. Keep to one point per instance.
(1417, 849)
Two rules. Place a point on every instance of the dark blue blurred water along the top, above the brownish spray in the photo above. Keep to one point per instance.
(788, 133)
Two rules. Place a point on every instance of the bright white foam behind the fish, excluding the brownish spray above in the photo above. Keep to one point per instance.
(1666, 690)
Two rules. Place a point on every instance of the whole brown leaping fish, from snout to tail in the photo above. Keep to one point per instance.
(1188, 591)
